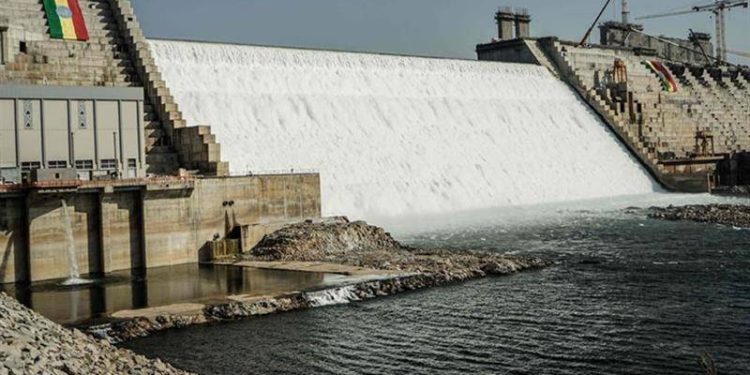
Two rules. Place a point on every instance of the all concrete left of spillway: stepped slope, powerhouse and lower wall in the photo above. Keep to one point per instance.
(98, 127)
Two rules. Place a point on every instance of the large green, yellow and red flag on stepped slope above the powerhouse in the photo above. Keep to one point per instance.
(65, 20)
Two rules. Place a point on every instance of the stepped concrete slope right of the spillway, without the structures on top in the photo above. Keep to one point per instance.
(684, 136)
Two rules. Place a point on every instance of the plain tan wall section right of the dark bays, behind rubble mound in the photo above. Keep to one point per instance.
(179, 225)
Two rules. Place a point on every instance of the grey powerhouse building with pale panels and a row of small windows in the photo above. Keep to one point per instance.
(97, 131)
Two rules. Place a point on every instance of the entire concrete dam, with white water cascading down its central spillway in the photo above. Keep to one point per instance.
(173, 152)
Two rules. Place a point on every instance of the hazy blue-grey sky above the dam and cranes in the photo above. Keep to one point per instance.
(449, 28)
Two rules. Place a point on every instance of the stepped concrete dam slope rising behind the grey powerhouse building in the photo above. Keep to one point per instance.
(116, 56)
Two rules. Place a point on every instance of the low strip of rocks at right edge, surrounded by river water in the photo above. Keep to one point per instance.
(725, 214)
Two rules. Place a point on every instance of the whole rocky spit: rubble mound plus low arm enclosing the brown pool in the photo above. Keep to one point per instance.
(335, 241)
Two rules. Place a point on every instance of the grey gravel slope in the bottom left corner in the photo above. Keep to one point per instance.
(32, 344)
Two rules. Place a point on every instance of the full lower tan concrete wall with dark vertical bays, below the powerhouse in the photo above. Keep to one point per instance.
(133, 227)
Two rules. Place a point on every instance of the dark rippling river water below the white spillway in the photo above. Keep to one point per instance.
(628, 296)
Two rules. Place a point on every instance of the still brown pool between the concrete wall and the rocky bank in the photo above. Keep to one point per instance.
(157, 287)
